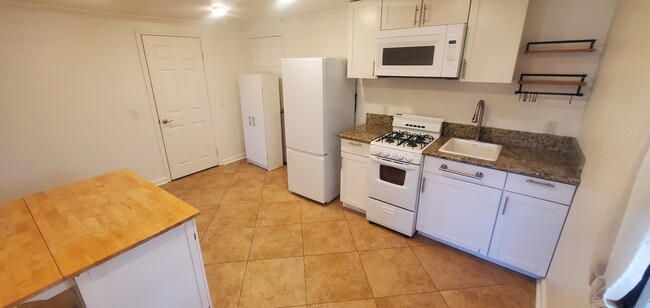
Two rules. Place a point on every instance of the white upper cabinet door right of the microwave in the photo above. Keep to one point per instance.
(493, 40)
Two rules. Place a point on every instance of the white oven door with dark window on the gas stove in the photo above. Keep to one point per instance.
(394, 183)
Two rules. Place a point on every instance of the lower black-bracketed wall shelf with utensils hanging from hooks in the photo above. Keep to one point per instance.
(531, 96)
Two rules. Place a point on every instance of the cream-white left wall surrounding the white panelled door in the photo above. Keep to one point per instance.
(68, 82)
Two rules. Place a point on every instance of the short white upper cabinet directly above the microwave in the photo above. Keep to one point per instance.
(398, 14)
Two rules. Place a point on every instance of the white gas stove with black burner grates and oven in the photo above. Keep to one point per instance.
(394, 171)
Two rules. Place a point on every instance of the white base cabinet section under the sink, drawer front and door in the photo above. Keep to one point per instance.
(459, 203)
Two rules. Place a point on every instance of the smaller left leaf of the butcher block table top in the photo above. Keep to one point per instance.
(26, 265)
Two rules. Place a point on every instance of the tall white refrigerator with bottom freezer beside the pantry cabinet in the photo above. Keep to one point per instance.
(318, 104)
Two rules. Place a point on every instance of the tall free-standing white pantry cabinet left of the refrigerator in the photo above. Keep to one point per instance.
(260, 105)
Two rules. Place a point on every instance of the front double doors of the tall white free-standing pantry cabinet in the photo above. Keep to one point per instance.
(252, 106)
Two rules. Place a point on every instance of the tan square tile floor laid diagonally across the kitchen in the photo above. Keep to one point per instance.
(264, 246)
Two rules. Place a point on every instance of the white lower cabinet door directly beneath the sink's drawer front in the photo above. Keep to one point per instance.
(458, 212)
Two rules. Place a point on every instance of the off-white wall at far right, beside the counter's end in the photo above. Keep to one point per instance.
(614, 136)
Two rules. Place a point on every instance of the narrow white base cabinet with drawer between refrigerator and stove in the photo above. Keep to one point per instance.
(354, 164)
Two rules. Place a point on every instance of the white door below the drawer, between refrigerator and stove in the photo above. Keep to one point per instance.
(353, 180)
